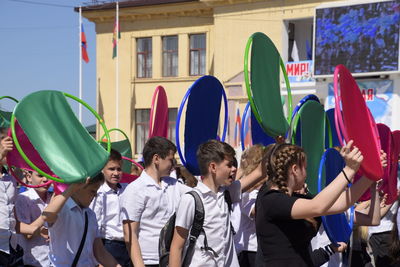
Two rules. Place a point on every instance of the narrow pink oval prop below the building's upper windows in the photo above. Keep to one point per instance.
(159, 111)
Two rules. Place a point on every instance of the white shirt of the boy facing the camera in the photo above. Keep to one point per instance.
(106, 206)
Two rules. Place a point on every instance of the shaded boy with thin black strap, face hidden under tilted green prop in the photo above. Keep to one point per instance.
(67, 214)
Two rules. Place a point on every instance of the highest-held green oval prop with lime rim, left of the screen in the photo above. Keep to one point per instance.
(263, 87)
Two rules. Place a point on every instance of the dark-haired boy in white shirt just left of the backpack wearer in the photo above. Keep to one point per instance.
(149, 201)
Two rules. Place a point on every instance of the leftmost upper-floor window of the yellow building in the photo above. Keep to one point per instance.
(144, 57)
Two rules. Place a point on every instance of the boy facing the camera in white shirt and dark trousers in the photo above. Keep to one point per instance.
(107, 209)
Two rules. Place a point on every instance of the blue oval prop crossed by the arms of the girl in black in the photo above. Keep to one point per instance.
(337, 227)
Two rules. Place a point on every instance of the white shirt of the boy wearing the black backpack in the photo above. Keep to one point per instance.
(217, 226)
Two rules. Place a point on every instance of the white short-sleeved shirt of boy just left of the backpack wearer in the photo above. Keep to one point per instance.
(152, 205)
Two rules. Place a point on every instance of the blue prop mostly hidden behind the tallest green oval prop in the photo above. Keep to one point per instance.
(258, 135)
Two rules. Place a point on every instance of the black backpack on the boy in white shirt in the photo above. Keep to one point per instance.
(167, 233)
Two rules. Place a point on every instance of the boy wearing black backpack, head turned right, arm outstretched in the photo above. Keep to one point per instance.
(215, 160)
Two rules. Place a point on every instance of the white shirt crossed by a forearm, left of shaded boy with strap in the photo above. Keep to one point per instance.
(28, 207)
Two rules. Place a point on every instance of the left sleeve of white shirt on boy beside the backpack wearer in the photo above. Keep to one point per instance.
(132, 204)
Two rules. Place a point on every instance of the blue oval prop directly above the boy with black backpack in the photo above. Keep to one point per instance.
(202, 118)
